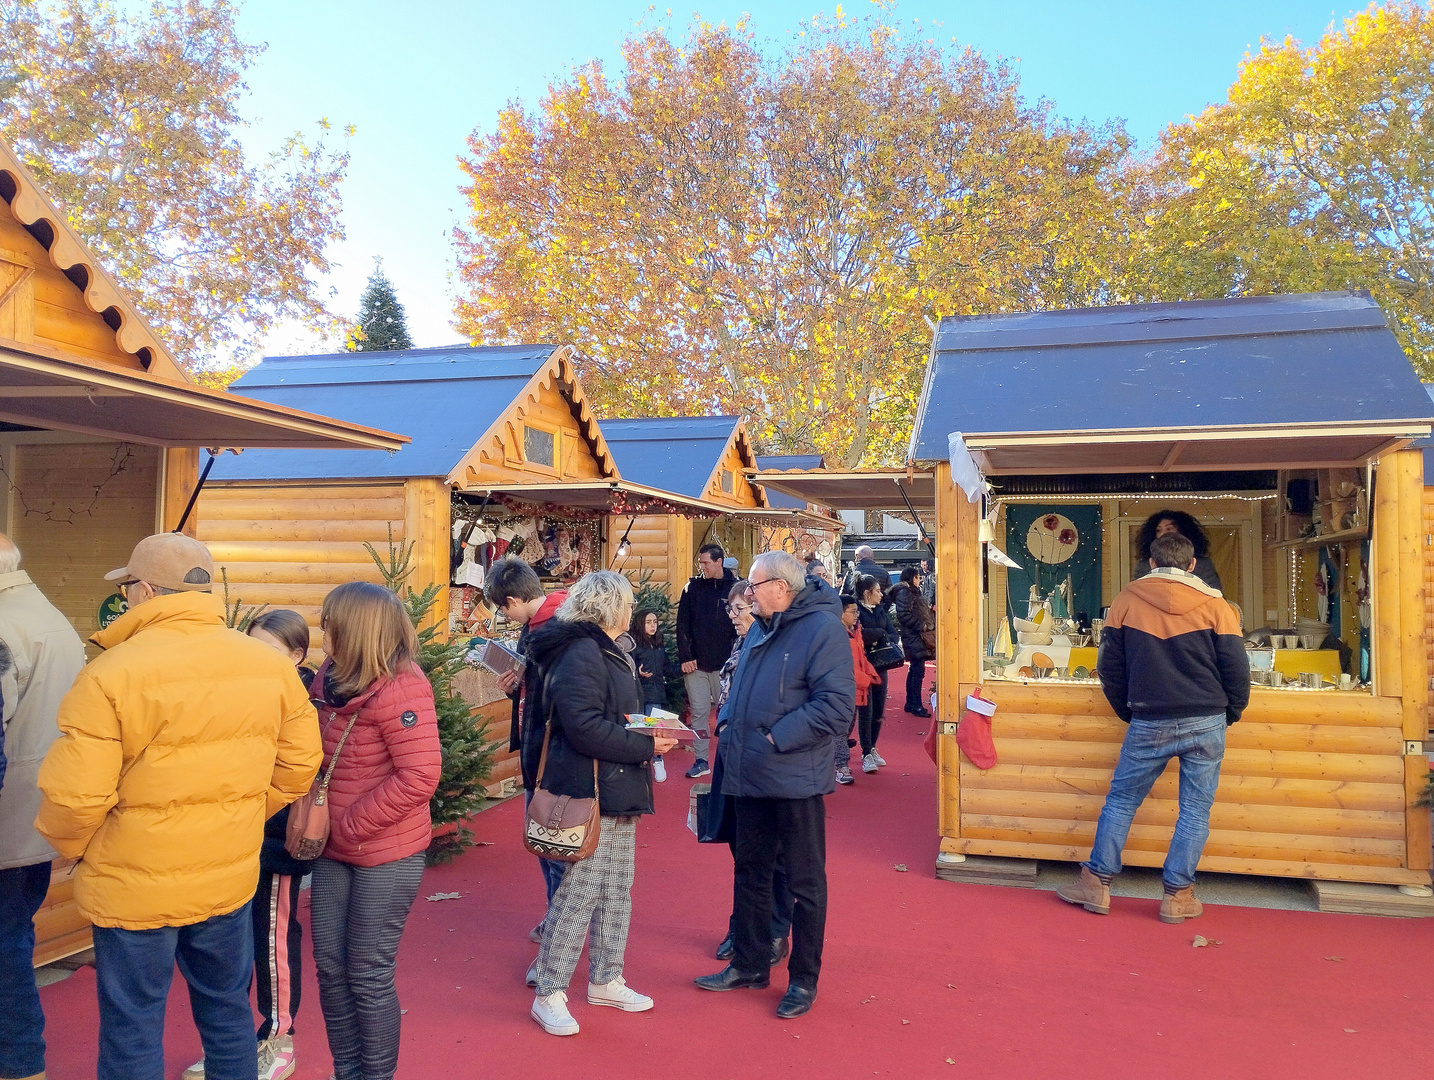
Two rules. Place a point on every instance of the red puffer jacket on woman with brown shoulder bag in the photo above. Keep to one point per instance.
(388, 772)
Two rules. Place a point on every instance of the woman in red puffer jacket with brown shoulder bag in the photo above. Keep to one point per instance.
(371, 871)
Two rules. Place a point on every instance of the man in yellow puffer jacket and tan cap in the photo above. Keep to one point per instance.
(176, 745)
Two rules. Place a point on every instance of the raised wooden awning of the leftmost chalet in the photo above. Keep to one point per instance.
(48, 391)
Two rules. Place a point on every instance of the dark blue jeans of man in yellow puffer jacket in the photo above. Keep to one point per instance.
(134, 970)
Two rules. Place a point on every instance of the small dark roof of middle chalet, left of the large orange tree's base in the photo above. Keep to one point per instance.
(675, 454)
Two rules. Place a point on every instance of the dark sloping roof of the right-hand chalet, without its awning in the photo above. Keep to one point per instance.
(1317, 358)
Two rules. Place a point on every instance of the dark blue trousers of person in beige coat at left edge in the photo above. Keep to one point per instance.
(22, 1023)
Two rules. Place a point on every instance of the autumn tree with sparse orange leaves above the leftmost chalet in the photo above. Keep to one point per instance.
(131, 125)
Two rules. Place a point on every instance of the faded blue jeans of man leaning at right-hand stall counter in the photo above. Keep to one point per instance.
(1200, 744)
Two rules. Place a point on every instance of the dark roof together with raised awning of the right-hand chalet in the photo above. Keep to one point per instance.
(1194, 385)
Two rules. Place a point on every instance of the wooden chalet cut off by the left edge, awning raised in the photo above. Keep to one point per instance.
(100, 437)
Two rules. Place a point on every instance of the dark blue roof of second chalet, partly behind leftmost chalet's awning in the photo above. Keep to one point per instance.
(444, 398)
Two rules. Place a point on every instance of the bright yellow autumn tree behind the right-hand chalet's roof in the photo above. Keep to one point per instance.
(1316, 174)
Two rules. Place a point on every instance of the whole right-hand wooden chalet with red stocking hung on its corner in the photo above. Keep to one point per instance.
(1284, 425)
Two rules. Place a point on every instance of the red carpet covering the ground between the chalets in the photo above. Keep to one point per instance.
(923, 979)
